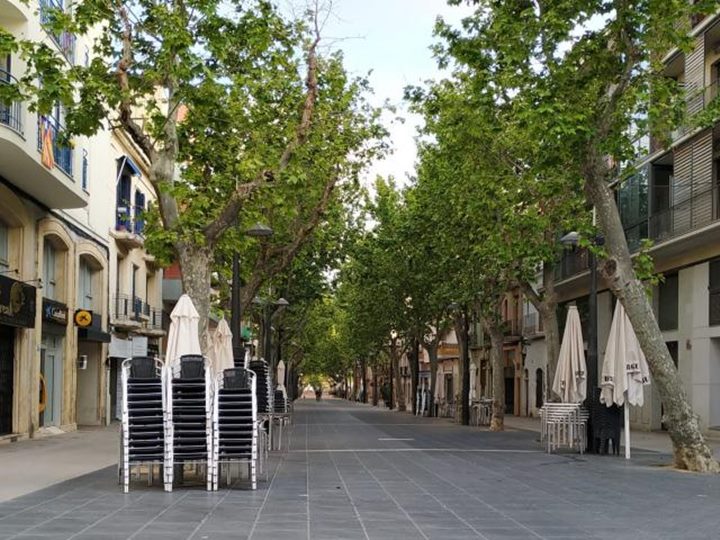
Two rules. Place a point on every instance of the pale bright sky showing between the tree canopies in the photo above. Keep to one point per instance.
(391, 39)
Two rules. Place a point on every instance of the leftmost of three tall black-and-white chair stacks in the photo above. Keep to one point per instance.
(145, 422)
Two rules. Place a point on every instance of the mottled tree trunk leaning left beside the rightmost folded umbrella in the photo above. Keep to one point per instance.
(690, 450)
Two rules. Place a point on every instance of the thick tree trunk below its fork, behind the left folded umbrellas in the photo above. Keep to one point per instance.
(195, 265)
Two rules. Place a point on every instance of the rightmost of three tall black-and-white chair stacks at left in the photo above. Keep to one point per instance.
(235, 425)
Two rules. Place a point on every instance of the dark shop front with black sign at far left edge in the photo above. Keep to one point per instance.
(17, 313)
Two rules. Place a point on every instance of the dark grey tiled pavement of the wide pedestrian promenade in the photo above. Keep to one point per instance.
(350, 475)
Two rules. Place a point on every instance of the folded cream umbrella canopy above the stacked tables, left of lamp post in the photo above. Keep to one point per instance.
(571, 376)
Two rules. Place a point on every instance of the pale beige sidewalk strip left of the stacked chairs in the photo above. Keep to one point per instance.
(33, 464)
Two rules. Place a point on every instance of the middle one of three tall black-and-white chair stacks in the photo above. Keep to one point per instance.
(190, 395)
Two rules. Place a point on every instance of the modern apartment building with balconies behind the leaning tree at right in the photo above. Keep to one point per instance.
(674, 201)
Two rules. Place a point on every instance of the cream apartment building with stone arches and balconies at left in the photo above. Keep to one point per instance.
(58, 261)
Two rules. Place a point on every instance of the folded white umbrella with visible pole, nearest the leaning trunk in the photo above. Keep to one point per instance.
(625, 371)
